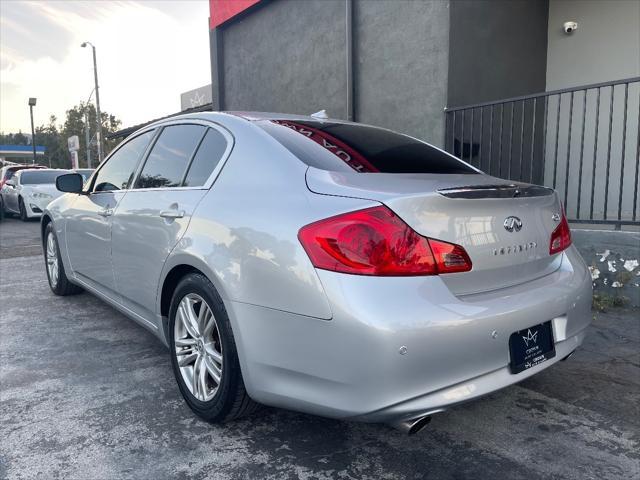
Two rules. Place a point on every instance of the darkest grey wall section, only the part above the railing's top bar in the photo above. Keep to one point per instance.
(498, 49)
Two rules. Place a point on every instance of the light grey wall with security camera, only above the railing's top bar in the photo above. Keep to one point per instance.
(605, 47)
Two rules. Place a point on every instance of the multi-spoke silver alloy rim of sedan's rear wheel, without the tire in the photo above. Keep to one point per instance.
(198, 347)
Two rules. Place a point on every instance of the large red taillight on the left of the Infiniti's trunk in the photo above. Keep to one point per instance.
(375, 241)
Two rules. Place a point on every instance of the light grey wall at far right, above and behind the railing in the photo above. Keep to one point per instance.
(605, 47)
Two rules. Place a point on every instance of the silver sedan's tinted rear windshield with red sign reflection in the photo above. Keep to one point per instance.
(348, 147)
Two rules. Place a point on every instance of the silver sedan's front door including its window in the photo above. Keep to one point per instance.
(88, 222)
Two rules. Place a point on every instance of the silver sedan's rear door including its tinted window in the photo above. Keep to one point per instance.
(154, 215)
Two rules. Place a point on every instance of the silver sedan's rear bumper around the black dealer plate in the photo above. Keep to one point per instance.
(399, 348)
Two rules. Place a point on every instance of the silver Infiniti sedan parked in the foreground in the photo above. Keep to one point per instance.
(322, 266)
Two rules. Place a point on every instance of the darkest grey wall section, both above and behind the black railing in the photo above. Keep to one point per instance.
(498, 50)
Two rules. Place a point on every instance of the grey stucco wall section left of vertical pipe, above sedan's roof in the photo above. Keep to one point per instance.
(287, 56)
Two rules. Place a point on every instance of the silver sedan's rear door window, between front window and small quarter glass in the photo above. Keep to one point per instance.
(169, 157)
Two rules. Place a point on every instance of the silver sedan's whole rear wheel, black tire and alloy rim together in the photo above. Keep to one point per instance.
(200, 352)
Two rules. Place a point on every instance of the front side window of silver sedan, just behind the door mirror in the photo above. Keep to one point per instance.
(118, 172)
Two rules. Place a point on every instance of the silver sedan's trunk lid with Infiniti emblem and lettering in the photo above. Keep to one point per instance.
(505, 227)
